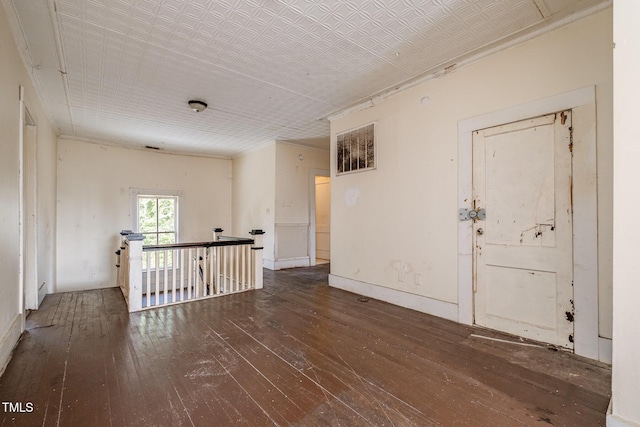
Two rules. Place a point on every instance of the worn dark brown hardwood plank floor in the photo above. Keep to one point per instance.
(297, 353)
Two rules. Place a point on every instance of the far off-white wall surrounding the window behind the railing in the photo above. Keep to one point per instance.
(94, 203)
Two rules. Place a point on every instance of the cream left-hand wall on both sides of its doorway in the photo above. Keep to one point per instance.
(12, 76)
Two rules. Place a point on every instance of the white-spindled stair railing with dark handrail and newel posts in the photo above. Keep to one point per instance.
(158, 275)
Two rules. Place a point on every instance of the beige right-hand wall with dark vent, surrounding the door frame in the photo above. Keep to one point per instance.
(403, 215)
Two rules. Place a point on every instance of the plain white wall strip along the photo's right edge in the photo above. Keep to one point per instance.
(625, 403)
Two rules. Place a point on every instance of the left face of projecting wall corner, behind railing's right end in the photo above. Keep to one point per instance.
(254, 183)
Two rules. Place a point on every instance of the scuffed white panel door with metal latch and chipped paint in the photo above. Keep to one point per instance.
(523, 247)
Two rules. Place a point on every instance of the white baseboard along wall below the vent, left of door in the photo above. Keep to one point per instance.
(419, 303)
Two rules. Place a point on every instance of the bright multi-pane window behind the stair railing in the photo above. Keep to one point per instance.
(157, 219)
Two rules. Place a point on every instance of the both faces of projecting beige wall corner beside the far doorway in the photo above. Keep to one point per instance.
(271, 189)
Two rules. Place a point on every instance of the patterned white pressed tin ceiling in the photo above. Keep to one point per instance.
(122, 71)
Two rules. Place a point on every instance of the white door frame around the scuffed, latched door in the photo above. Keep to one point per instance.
(585, 210)
